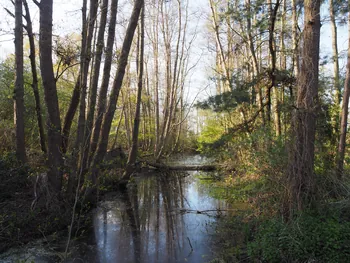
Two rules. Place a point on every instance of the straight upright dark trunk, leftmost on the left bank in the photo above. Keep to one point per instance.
(19, 85)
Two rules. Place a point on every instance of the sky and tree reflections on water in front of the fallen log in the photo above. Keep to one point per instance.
(158, 219)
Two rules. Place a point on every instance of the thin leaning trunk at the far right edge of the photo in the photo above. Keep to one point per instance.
(344, 112)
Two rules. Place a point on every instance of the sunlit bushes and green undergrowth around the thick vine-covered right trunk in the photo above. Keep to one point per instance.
(255, 169)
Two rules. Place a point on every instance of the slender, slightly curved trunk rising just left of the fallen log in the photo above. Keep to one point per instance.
(135, 132)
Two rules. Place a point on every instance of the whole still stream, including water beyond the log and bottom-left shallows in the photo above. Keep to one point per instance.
(161, 218)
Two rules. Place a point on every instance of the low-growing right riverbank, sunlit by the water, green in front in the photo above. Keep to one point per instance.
(261, 233)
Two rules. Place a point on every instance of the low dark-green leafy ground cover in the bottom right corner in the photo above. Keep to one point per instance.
(317, 237)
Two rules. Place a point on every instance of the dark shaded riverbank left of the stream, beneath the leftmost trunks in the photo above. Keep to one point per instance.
(19, 223)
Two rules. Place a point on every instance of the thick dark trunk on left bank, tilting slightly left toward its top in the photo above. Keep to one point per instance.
(55, 160)
